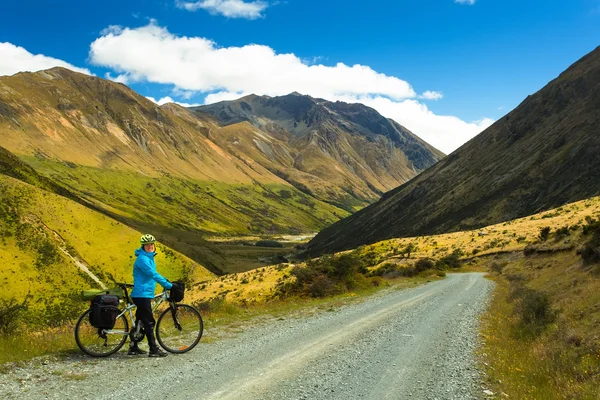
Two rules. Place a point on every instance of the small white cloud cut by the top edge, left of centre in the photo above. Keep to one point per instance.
(227, 8)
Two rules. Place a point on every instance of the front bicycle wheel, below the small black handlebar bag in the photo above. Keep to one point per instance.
(179, 328)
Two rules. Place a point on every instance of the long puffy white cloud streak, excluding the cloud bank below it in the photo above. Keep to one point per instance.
(197, 64)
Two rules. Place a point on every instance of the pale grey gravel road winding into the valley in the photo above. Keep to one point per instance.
(400, 344)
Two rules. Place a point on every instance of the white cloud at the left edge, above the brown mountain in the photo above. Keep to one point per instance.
(15, 59)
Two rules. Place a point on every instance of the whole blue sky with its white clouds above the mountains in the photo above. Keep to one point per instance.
(443, 68)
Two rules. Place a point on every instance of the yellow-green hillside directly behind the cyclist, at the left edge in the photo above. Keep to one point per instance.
(44, 236)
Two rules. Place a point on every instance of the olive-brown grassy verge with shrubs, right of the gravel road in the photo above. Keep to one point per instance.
(554, 354)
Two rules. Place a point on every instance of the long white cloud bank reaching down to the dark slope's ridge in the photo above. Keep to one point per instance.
(192, 64)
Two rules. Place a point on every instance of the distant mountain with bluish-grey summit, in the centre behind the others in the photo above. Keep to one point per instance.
(343, 154)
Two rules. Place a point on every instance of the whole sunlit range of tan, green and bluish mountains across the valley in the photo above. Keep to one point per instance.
(290, 164)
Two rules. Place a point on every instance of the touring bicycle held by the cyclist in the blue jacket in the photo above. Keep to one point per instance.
(178, 329)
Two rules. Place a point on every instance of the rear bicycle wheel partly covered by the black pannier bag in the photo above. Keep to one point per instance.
(89, 340)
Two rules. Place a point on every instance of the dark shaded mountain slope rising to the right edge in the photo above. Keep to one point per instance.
(543, 154)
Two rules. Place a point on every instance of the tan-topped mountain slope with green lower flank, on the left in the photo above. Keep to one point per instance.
(151, 167)
